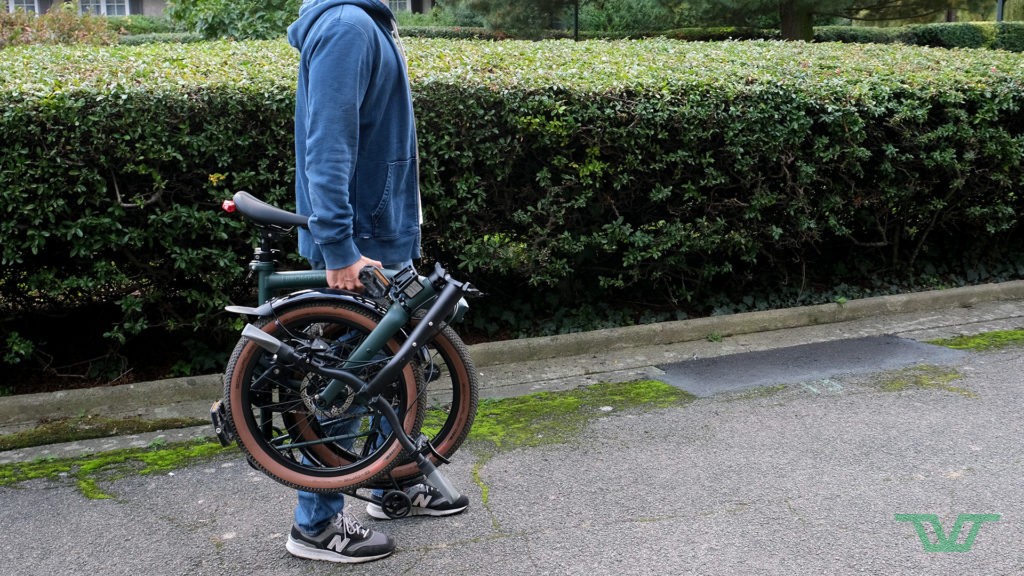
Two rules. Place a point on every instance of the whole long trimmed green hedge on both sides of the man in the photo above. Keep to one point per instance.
(556, 174)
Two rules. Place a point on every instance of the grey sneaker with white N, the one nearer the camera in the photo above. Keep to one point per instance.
(345, 541)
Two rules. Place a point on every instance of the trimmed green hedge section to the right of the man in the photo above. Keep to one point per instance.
(666, 168)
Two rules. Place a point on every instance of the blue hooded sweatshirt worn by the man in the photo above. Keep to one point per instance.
(357, 176)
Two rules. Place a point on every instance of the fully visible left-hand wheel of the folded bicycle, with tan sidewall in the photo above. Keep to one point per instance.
(281, 429)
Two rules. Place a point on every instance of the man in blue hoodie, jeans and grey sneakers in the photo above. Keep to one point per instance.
(357, 178)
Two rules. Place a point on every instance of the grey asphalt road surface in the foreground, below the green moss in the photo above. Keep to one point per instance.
(792, 483)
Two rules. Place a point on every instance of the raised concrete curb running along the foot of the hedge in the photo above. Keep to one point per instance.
(193, 396)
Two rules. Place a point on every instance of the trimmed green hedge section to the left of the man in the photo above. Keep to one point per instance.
(110, 181)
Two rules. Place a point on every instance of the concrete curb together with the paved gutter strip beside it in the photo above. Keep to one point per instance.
(519, 367)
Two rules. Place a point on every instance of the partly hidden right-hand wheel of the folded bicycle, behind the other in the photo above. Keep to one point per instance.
(452, 396)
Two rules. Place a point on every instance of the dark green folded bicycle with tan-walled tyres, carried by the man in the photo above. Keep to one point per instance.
(329, 391)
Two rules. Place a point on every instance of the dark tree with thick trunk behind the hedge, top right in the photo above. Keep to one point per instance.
(797, 18)
